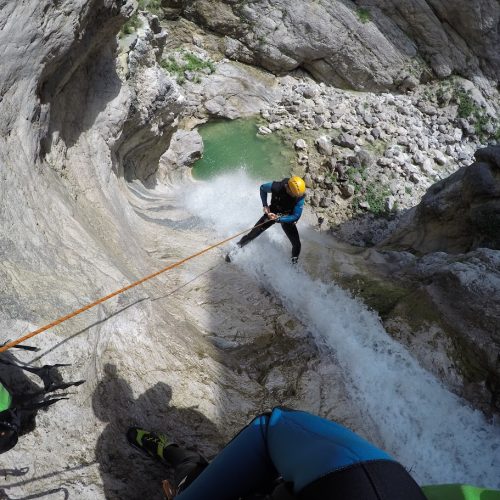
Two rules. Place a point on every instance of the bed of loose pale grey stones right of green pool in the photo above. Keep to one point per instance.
(409, 138)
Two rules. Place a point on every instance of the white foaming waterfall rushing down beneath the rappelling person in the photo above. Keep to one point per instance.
(427, 428)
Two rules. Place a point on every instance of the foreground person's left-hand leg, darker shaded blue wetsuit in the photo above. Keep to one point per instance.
(240, 469)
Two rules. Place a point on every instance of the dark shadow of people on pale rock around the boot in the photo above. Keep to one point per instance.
(126, 473)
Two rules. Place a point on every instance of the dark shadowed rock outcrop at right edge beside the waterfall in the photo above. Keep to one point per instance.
(455, 229)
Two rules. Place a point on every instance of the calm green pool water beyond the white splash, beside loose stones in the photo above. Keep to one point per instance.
(234, 145)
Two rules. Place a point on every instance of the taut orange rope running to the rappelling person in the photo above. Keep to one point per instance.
(117, 292)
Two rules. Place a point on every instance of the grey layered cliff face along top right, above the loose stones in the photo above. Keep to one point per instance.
(365, 45)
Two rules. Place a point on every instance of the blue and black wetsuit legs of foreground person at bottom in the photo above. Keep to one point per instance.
(317, 459)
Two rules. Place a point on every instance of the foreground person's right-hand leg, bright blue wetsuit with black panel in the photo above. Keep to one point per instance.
(322, 458)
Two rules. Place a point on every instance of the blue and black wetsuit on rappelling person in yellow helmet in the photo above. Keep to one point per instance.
(288, 207)
